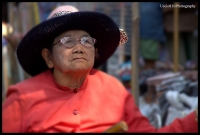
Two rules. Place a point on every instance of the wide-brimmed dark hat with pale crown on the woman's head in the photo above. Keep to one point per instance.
(98, 25)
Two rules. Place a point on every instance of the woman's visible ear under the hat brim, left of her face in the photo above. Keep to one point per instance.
(47, 57)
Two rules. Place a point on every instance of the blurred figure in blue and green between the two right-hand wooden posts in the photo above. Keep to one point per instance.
(152, 34)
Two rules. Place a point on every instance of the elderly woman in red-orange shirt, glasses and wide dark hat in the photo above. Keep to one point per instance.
(67, 93)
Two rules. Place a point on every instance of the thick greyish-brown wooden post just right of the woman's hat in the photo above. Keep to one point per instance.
(134, 51)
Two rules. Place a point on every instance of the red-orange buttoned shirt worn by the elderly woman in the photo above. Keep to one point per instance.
(39, 104)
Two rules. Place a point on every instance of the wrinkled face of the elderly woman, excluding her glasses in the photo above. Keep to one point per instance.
(78, 58)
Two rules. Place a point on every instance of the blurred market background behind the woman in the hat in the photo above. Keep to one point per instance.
(158, 64)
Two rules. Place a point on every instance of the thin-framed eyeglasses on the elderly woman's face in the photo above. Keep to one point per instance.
(70, 42)
